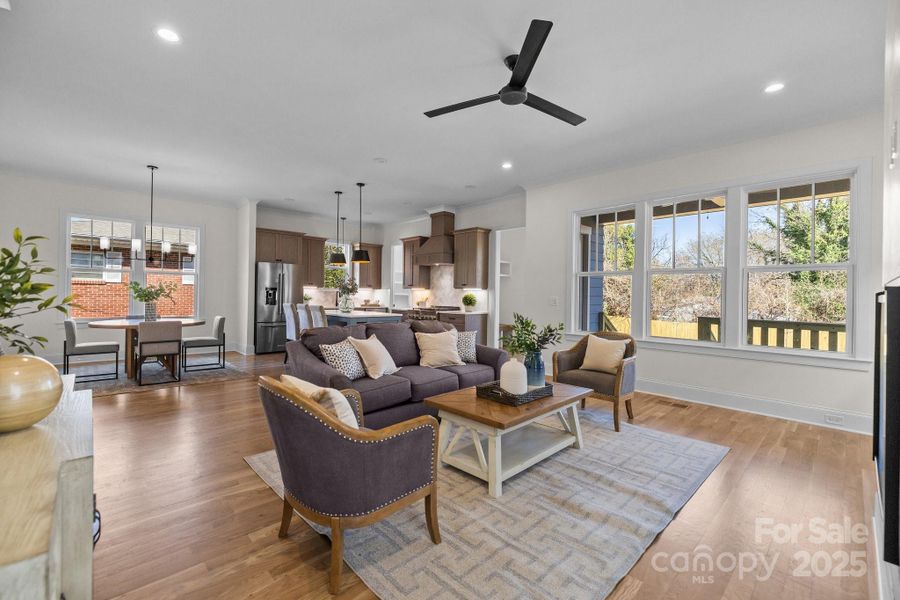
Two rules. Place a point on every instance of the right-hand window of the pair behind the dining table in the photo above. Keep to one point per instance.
(171, 256)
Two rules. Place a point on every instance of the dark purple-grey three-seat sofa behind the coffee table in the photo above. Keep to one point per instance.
(391, 398)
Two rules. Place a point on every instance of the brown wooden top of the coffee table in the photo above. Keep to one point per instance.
(466, 404)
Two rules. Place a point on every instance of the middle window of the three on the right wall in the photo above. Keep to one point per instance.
(687, 269)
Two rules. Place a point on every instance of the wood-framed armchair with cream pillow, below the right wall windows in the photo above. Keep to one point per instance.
(615, 388)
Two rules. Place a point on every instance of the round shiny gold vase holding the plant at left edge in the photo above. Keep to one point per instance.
(30, 388)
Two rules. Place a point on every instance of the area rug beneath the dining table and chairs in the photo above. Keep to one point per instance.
(155, 377)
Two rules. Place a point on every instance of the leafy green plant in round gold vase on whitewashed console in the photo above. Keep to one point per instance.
(30, 387)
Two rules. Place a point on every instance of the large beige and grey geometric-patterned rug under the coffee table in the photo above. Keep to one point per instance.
(571, 526)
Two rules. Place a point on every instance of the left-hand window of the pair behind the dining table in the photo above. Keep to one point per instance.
(98, 277)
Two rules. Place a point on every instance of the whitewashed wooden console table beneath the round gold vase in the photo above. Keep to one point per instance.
(46, 503)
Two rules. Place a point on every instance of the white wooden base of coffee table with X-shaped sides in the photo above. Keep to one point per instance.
(494, 455)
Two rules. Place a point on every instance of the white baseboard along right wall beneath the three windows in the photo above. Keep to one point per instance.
(814, 415)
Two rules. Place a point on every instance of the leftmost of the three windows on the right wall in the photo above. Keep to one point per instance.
(605, 269)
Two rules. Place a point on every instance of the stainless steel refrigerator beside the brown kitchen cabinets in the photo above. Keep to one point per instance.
(276, 284)
